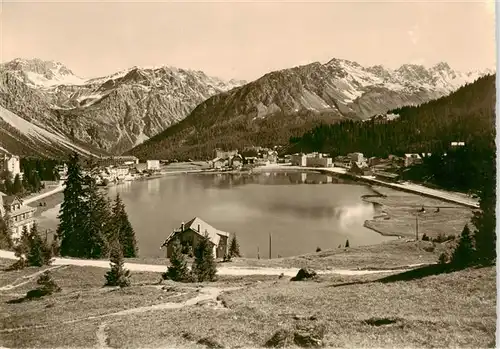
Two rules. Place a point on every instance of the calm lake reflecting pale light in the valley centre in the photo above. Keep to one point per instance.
(301, 211)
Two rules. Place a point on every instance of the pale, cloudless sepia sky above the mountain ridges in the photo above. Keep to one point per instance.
(245, 40)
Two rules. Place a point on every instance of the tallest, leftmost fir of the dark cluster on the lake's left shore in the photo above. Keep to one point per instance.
(72, 212)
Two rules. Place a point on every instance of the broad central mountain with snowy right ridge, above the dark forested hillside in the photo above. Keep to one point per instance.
(288, 102)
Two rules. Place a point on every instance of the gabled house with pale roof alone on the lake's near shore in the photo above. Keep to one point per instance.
(190, 233)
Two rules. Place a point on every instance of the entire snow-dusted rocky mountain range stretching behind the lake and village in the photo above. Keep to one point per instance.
(164, 112)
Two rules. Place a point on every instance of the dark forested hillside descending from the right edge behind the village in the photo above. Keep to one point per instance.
(466, 115)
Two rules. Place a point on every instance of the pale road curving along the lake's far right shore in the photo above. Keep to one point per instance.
(457, 198)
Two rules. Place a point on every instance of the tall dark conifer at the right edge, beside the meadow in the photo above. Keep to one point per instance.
(485, 219)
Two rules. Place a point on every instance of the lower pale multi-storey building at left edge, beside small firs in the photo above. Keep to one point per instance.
(19, 215)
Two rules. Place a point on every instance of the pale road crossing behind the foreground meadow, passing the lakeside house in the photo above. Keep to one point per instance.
(222, 270)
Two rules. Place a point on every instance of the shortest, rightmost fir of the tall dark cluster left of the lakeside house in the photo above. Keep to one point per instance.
(123, 229)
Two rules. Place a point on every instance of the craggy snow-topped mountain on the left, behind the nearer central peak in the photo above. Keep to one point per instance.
(113, 113)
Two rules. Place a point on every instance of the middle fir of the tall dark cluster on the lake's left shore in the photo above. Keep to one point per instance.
(96, 224)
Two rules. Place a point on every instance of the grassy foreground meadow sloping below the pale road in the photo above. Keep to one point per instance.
(447, 310)
